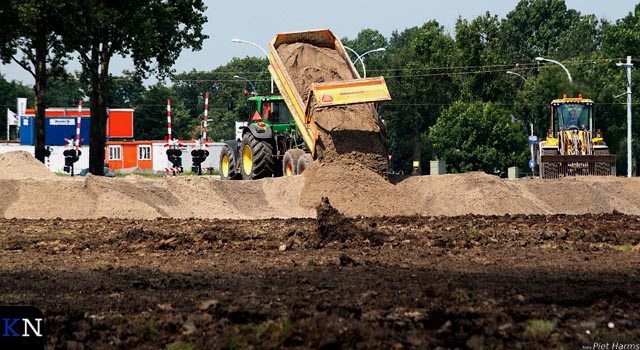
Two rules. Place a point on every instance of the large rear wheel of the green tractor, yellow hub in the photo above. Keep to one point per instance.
(256, 158)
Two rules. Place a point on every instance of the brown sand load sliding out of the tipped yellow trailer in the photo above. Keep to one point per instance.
(347, 133)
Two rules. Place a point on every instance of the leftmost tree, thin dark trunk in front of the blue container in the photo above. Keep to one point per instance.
(32, 40)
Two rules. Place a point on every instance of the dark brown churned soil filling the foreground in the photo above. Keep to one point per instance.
(417, 282)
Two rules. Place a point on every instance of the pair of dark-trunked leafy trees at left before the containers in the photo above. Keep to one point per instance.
(41, 36)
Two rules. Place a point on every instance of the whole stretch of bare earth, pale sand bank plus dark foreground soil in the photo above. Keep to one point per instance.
(454, 261)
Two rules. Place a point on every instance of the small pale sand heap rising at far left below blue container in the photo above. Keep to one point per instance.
(22, 165)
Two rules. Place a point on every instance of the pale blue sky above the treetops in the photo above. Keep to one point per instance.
(259, 21)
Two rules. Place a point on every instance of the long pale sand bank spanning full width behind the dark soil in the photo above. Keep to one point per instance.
(31, 191)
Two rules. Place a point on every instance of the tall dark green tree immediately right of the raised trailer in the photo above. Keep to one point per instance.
(421, 87)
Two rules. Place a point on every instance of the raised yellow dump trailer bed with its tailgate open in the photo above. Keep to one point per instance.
(327, 79)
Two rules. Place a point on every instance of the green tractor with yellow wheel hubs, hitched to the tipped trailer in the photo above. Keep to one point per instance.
(267, 145)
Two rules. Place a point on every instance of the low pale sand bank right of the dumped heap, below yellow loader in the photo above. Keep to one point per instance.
(479, 193)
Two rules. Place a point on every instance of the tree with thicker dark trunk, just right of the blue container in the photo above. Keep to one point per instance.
(143, 30)
